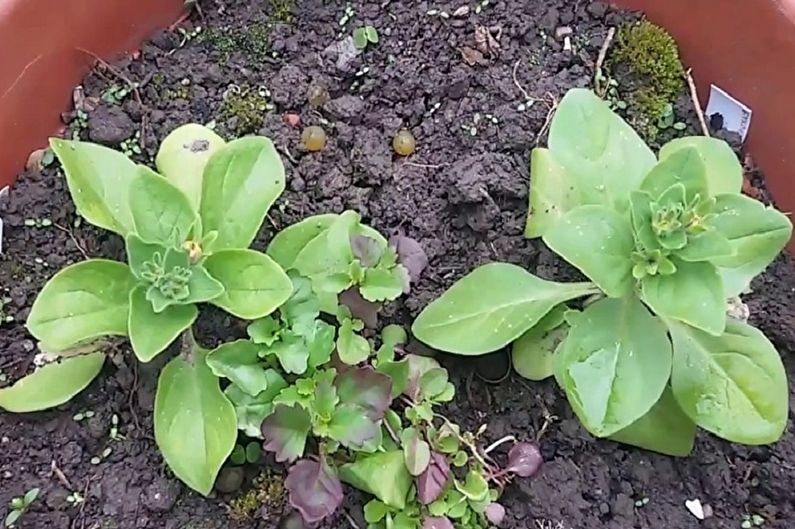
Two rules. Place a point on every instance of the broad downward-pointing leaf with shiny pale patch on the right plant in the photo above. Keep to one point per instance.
(614, 364)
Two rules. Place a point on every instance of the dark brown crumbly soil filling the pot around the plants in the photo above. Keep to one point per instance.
(462, 195)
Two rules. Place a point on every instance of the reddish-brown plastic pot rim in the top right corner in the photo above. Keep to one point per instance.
(747, 48)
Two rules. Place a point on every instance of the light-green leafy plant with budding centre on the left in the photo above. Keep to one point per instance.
(187, 232)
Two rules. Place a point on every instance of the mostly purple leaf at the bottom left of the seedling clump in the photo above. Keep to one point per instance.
(315, 490)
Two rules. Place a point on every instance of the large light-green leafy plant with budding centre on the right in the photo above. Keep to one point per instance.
(665, 242)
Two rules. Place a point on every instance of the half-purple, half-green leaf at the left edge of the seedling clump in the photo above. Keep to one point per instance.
(285, 432)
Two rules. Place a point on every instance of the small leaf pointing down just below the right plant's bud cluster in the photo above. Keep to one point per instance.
(693, 294)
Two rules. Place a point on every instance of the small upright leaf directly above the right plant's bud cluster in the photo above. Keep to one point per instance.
(683, 166)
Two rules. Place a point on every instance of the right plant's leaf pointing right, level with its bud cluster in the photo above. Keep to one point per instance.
(756, 233)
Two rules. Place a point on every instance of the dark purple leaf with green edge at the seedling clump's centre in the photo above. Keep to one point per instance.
(365, 388)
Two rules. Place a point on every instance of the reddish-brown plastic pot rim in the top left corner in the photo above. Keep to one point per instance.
(41, 60)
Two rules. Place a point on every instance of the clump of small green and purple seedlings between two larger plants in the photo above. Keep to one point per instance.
(325, 400)
